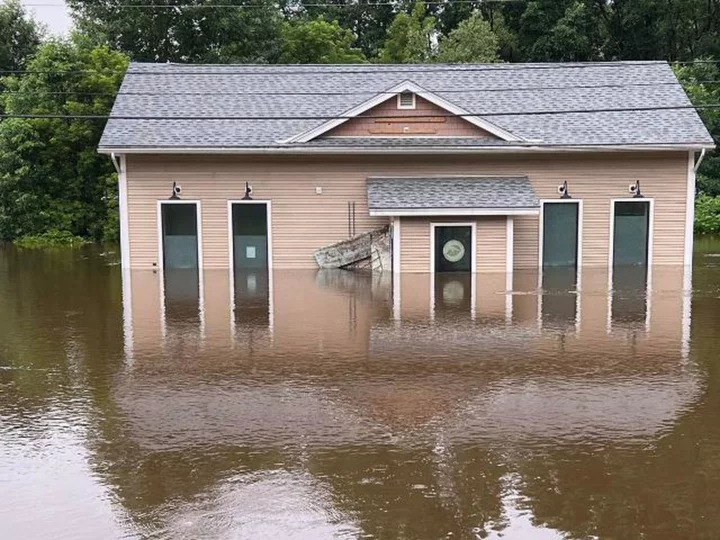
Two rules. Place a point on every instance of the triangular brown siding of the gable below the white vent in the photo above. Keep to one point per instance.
(423, 121)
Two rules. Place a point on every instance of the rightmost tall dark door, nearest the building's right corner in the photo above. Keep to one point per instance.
(631, 233)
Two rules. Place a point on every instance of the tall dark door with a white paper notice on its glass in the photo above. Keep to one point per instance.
(250, 232)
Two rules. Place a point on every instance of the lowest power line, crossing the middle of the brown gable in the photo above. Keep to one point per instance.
(710, 106)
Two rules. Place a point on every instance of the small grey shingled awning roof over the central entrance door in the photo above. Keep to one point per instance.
(451, 196)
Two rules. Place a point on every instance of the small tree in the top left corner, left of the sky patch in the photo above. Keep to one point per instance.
(19, 36)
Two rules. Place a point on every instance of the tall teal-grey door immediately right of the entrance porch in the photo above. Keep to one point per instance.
(560, 234)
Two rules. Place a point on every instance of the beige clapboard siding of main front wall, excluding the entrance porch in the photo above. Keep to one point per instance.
(303, 221)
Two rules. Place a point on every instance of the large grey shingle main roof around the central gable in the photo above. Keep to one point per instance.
(188, 105)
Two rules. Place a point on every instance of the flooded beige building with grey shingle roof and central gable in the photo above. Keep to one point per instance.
(476, 168)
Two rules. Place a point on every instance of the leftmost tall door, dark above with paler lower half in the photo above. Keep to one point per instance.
(180, 235)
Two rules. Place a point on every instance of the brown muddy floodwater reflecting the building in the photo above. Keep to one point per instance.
(319, 405)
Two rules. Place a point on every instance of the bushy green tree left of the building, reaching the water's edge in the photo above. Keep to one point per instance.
(51, 176)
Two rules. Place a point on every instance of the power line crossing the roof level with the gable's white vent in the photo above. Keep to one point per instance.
(359, 92)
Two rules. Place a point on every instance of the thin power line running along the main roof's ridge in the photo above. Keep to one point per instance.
(260, 69)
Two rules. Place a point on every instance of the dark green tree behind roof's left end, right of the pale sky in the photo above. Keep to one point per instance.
(184, 34)
